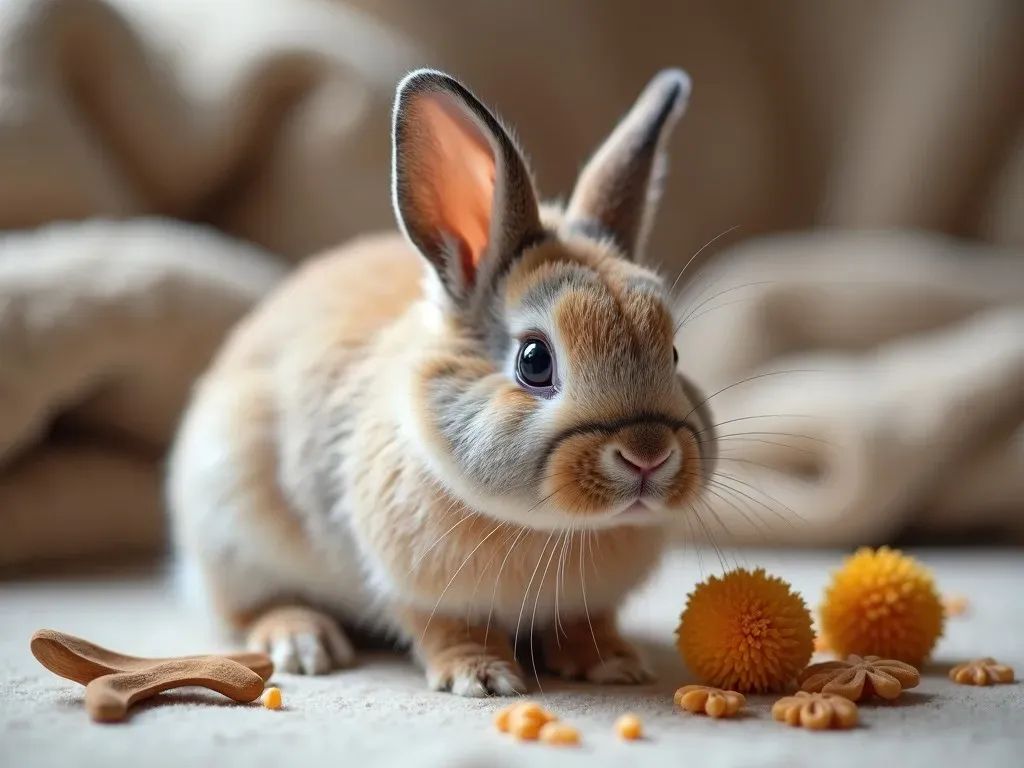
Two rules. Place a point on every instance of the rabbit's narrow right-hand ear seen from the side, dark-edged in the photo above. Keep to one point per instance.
(618, 190)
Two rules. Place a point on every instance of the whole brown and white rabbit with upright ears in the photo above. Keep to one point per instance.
(366, 453)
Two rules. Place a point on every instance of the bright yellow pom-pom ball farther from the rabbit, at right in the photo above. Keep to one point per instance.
(883, 604)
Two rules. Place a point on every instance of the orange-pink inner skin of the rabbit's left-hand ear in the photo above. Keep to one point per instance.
(460, 166)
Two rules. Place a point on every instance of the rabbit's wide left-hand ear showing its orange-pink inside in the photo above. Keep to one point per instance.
(461, 190)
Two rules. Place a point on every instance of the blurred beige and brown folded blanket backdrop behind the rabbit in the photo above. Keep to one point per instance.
(856, 170)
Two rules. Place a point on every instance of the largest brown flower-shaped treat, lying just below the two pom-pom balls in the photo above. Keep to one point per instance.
(860, 678)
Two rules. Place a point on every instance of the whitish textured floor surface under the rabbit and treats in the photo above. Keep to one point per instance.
(381, 713)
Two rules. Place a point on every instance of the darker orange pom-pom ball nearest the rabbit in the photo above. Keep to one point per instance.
(746, 632)
